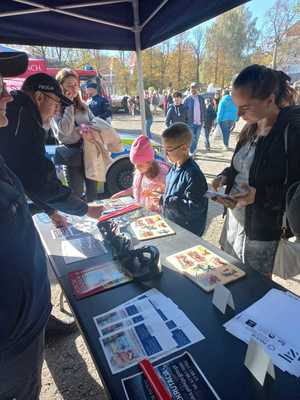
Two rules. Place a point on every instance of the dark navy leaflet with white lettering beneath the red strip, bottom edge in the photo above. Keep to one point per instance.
(181, 376)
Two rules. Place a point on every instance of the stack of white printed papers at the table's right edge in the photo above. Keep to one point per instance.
(273, 321)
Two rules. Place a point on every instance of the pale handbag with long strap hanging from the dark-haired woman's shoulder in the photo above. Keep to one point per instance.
(287, 258)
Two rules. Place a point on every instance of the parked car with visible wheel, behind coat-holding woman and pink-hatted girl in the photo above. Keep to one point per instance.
(119, 174)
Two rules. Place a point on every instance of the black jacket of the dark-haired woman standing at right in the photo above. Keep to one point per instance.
(267, 174)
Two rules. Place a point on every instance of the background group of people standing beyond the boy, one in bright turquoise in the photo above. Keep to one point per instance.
(201, 112)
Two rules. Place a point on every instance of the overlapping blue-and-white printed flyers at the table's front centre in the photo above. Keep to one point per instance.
(148, 326)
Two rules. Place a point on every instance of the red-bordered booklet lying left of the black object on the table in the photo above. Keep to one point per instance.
(96, 279)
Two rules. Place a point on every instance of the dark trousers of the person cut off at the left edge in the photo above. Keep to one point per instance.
(20, 376)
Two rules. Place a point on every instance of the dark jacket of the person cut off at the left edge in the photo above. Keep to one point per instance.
(24, 285)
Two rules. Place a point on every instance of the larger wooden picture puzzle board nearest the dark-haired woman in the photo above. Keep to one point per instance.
(204, 267)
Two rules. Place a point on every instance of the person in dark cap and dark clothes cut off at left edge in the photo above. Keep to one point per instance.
(24, 287)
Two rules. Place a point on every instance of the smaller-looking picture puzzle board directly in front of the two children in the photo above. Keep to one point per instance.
(151, 227)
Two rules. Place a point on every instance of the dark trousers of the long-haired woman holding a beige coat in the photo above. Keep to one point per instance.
(76, 178)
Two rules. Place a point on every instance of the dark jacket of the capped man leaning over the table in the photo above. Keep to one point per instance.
(22, 145)
